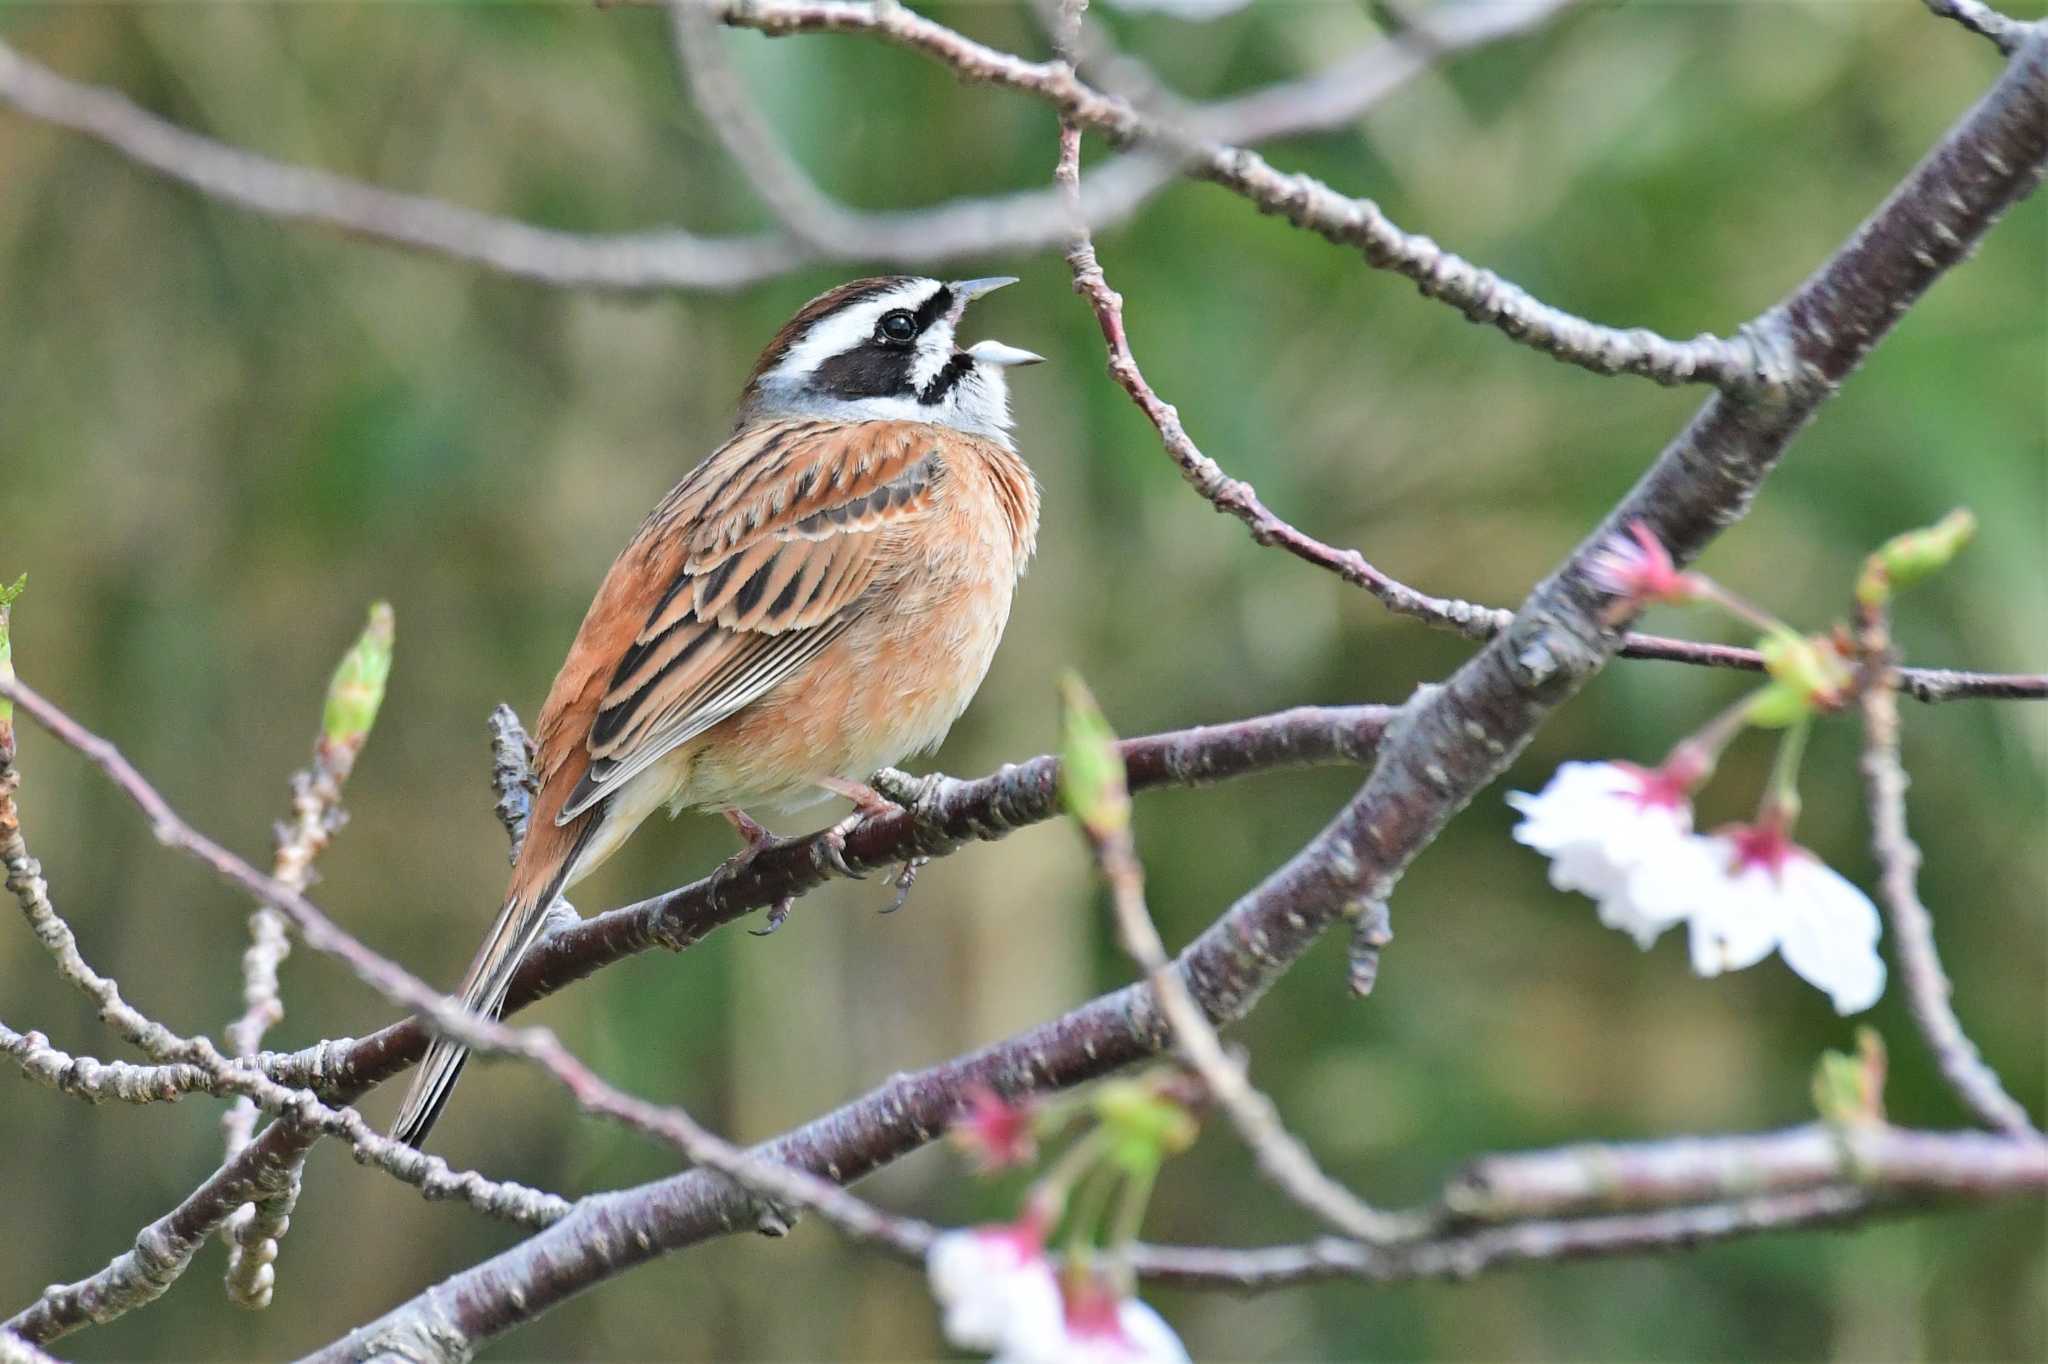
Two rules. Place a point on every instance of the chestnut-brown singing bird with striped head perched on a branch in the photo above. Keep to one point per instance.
(810, 605)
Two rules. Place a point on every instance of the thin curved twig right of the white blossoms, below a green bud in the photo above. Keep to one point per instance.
(1920, 962)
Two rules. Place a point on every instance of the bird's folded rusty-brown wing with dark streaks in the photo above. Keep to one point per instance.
(753, 564)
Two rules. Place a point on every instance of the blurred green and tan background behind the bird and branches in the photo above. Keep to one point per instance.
(220, 437)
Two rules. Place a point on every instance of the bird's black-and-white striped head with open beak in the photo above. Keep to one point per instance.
(884, 351)
